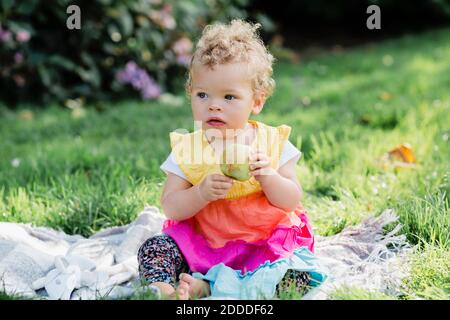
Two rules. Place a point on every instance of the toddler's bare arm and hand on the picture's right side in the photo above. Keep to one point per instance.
(281, 187)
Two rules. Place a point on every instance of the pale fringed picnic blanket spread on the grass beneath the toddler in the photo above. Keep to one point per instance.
(40, 262)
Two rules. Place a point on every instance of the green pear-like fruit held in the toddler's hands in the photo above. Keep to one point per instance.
(235, 162)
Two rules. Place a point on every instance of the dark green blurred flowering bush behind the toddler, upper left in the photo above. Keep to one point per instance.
(44, 60)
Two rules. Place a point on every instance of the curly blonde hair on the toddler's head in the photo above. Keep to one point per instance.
(236, 42)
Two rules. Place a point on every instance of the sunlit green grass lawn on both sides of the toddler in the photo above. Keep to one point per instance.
(84, 173)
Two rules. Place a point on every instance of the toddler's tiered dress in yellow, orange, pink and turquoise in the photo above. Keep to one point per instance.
(243, 232)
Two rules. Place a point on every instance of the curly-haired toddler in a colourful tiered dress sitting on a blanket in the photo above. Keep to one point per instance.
(233, 235)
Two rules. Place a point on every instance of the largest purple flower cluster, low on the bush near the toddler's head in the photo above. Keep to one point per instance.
(140, 80)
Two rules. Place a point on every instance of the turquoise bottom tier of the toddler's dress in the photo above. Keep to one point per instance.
(261, 283)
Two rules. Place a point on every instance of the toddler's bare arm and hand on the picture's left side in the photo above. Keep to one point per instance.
(181, 200)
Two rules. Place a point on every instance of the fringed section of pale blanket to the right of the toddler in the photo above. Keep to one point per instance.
(364, 257)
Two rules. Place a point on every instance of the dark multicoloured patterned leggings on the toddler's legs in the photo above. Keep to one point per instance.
(160, 260)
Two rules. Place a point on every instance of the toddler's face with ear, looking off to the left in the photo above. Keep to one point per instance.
(222, 98)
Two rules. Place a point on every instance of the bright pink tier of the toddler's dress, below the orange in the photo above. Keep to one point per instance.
(239, 254)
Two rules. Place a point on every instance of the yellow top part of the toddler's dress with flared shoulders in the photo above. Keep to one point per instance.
(196, 158)
